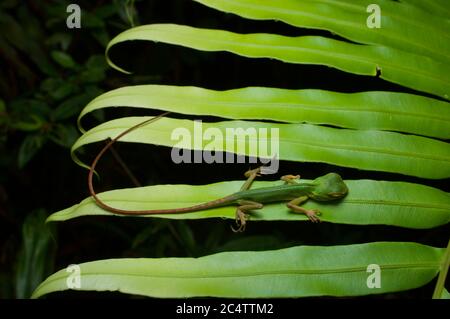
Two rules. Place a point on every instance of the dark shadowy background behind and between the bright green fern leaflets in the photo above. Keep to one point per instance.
(42, 94)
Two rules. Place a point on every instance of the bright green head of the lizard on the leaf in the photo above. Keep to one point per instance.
(329, 187)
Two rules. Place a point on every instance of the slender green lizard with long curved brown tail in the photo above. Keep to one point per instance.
(325, 188)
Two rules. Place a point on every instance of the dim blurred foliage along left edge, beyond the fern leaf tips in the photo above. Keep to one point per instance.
(48, 73)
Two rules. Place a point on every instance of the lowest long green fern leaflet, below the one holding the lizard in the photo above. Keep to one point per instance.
(291, 272)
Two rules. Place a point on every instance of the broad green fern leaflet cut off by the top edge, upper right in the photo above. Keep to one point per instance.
(402, 27)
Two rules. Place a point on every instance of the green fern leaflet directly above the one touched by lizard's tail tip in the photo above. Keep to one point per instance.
(380, 110)
